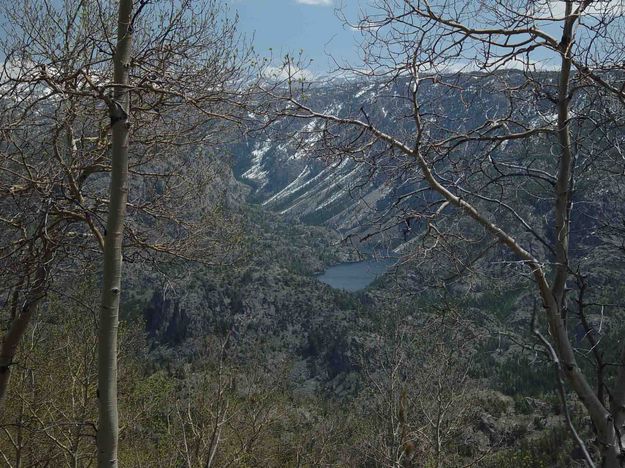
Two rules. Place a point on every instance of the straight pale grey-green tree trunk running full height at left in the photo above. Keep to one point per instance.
(108, 428)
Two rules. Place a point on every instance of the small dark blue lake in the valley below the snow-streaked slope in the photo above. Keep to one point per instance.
(355, 276)
